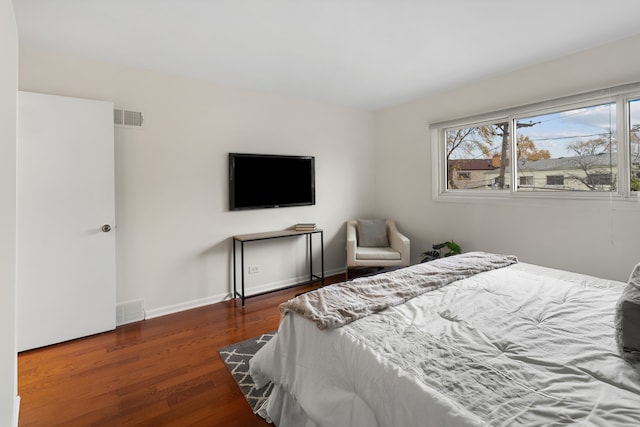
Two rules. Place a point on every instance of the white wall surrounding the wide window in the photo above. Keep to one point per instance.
(602, 239)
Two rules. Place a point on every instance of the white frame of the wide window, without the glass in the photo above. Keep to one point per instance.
(620, 95)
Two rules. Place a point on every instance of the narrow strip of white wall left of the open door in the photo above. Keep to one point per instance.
(8, 88)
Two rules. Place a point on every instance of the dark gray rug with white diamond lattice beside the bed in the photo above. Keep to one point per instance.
(236, 357)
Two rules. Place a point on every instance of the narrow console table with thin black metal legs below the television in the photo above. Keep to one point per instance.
(246, 238)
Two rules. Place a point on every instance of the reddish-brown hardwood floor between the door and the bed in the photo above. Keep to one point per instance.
(159, 372)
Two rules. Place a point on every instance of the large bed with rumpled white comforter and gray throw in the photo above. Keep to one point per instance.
(513, 344)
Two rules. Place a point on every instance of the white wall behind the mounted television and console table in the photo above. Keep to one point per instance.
(173, 222)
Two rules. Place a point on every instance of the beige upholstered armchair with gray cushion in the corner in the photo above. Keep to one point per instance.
(376, 243)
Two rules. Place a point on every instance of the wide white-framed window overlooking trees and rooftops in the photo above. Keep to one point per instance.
(569, 147)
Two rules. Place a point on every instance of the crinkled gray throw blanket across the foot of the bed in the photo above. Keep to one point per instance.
(336, 305)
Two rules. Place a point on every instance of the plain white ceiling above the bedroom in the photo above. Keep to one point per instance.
(368, 54)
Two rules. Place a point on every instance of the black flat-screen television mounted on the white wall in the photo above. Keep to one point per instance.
(258, 181)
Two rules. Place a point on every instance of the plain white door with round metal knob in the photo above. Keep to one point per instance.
(65, 189)
